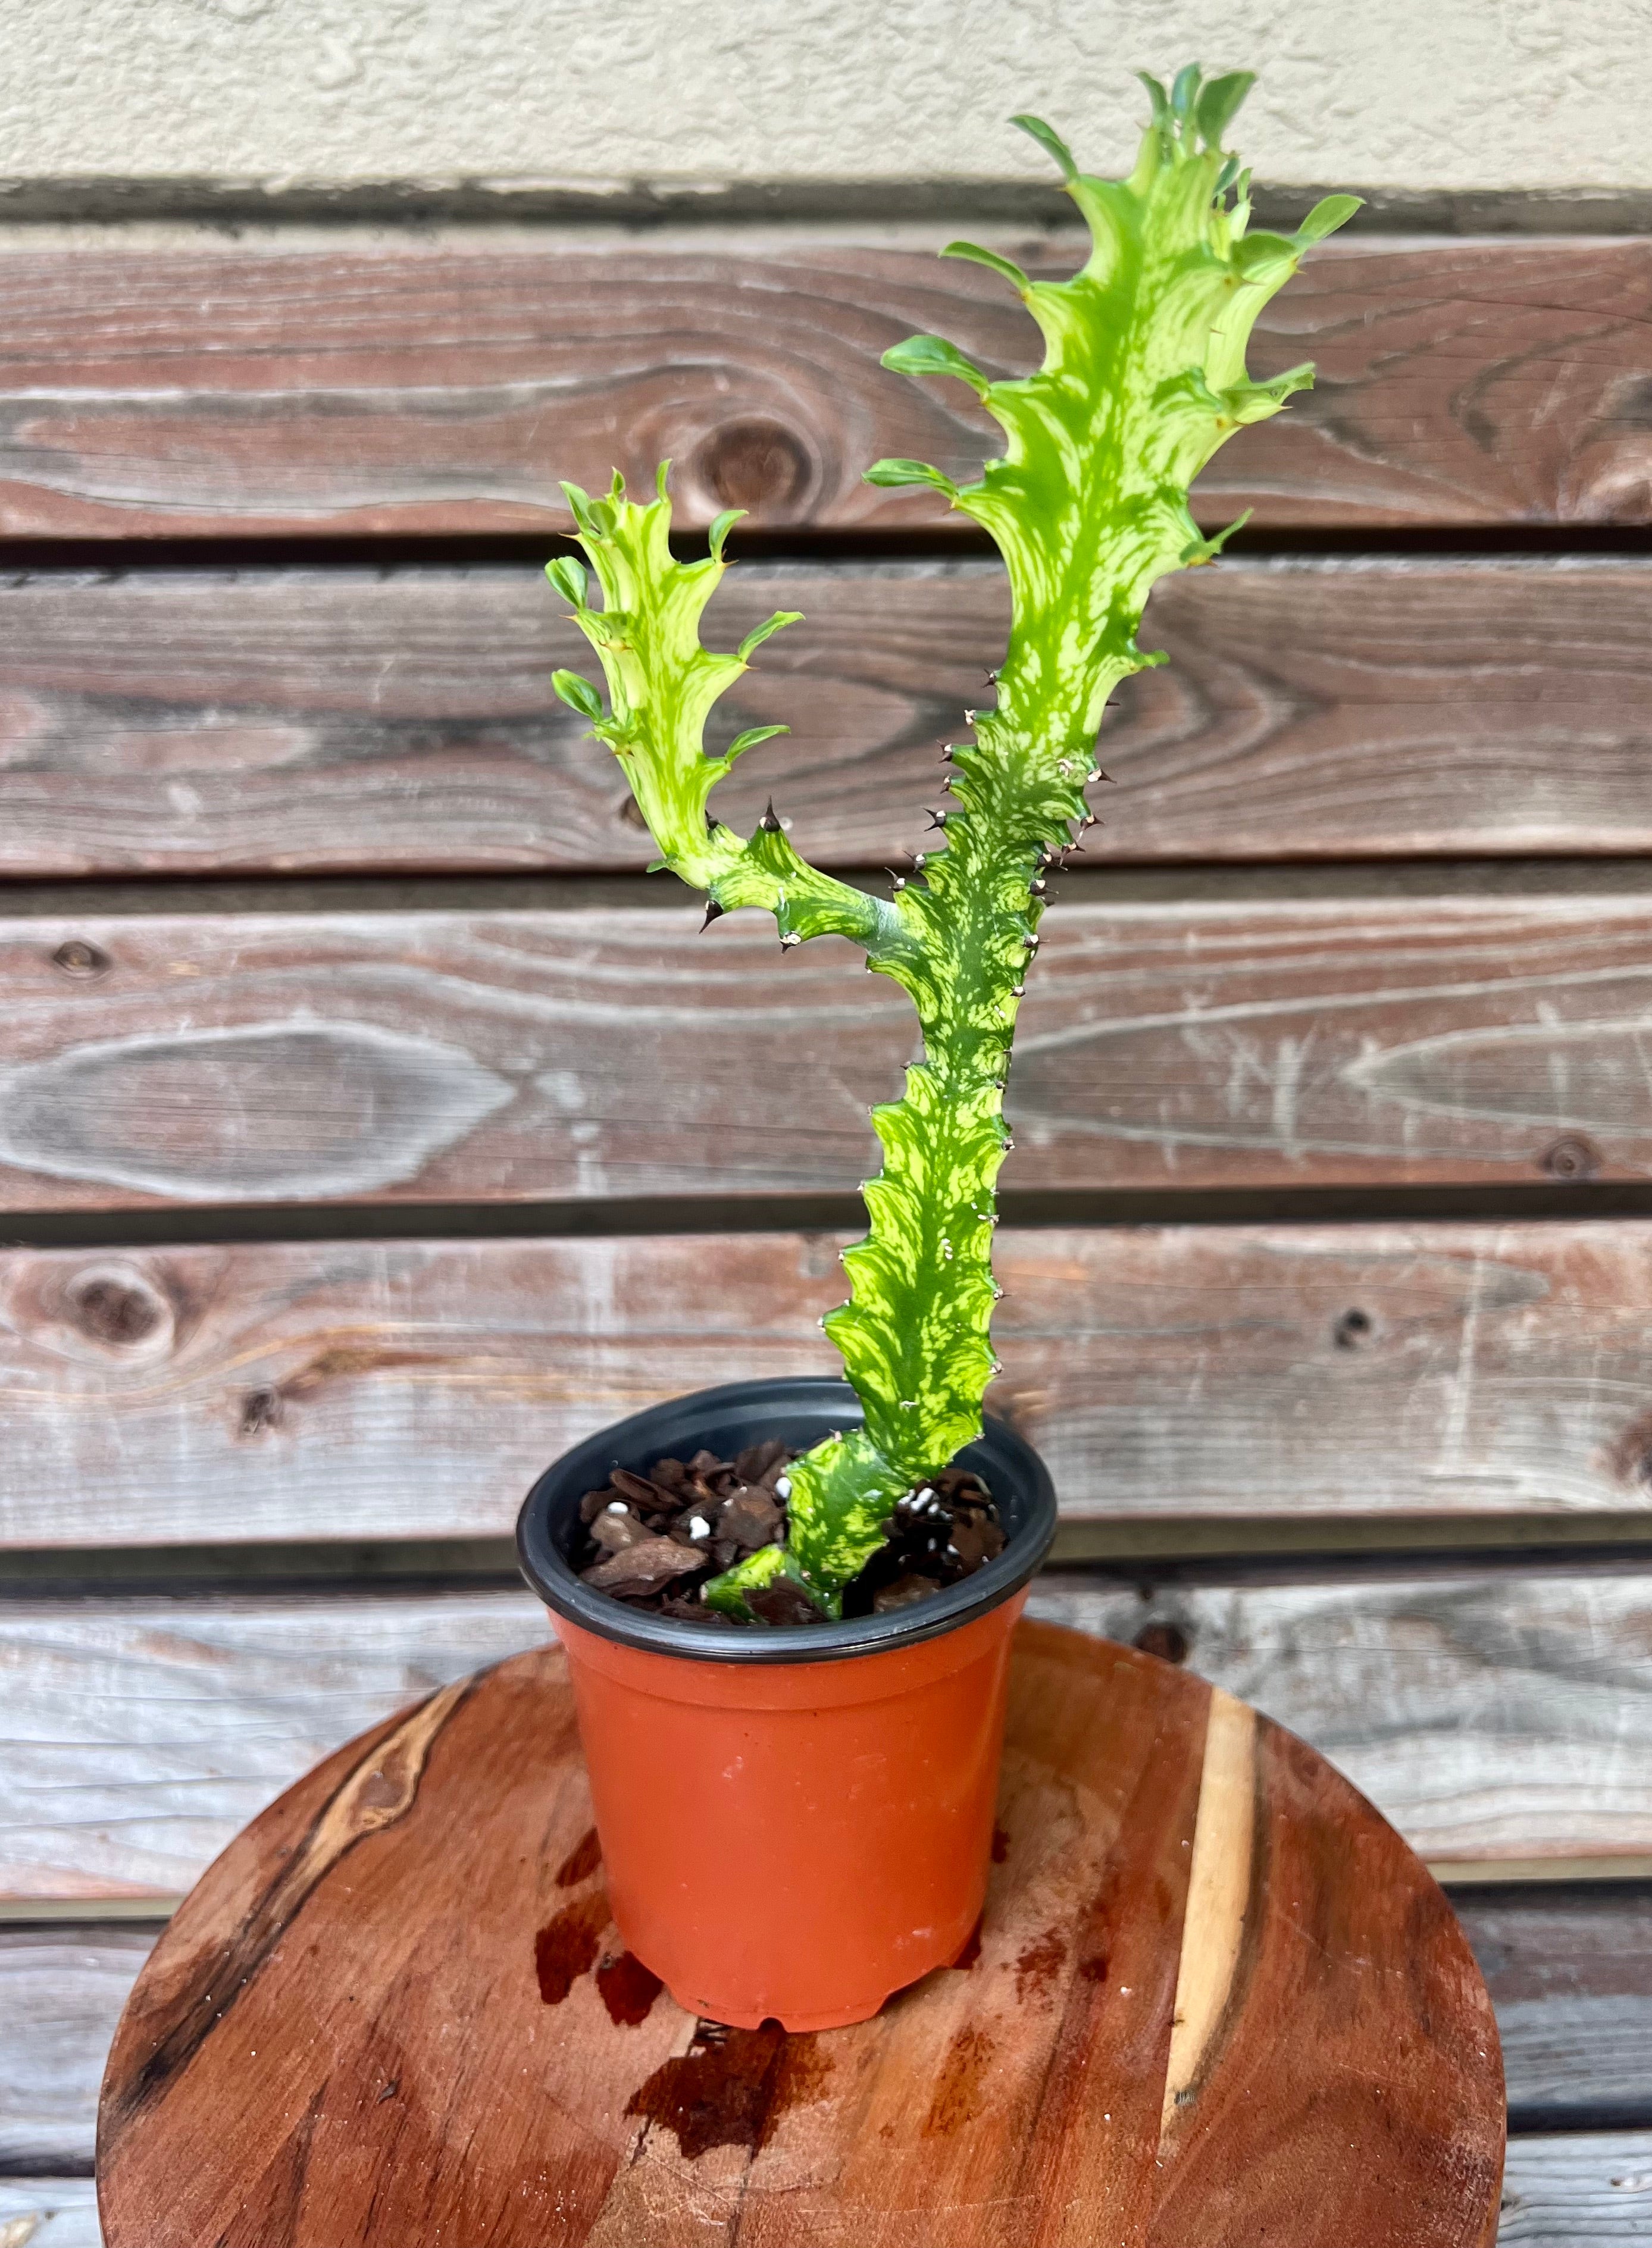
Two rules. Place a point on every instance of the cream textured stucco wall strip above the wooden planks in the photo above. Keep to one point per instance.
(1383, 93)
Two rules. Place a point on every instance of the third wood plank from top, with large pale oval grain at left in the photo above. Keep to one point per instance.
(579, 1055)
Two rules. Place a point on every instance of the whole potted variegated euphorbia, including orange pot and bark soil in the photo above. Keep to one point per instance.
(790, 1671)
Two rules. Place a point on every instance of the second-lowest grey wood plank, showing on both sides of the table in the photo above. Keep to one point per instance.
(1570, 1975)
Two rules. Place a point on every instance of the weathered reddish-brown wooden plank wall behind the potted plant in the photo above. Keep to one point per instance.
(1433, 651)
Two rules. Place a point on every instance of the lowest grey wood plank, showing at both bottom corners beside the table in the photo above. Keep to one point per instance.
(1581, 2191)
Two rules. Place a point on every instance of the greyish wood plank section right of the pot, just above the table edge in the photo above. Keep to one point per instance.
(1491, 1716)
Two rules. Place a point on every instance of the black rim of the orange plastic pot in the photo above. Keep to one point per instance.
(1006, 1462)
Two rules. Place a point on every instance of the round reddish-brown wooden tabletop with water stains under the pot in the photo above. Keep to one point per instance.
(1215, 2004)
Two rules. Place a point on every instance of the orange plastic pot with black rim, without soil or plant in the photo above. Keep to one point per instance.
(795, 1822)
